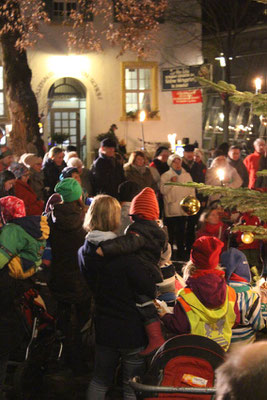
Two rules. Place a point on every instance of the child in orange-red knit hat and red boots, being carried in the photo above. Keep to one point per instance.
(147, 240)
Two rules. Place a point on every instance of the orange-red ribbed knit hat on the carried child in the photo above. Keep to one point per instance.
(145, 205)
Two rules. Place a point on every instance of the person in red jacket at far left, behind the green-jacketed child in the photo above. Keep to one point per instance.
(24, 191)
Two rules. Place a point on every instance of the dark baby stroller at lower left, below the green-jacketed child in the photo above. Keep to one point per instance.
(41, 350)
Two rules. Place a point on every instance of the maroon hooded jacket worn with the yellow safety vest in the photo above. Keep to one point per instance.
(211, 291)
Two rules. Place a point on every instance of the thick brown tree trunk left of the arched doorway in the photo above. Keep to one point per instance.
(22, 103)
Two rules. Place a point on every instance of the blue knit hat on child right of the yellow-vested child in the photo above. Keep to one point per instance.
(236, 262)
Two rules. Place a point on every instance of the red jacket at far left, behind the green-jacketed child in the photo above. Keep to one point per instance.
(26, 193)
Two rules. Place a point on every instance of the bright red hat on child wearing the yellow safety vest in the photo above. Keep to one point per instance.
(206, 252)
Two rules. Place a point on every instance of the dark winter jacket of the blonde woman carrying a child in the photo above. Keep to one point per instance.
(114, 283)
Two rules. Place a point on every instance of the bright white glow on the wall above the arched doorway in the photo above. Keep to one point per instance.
(70, 65)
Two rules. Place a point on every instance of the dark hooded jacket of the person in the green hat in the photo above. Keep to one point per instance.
(66, 237)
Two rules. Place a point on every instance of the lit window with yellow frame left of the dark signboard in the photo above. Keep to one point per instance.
(139, 88)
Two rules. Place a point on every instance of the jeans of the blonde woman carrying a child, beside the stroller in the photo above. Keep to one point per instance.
(106, 361)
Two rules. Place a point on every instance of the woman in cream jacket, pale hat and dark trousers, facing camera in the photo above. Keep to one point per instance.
(175, 217)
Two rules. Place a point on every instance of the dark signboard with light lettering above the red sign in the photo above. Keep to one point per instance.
(183, 77)
